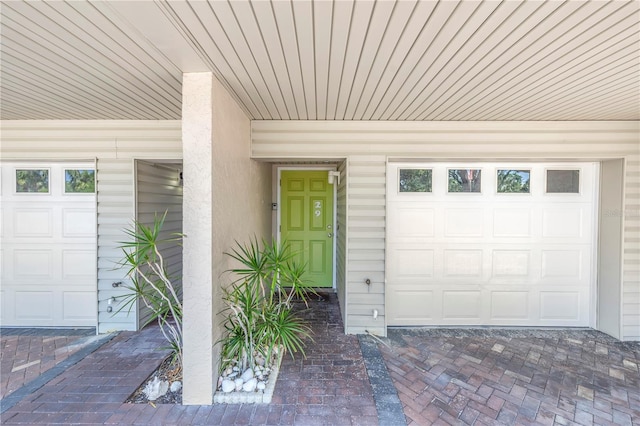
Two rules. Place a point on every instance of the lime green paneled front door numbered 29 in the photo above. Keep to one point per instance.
(306, 222)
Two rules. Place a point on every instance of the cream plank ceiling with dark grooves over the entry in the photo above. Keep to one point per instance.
(325, 60)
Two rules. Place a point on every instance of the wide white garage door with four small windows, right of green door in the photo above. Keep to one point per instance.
(490, 244)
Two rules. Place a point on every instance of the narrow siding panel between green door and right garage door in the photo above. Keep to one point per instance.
(365, 236)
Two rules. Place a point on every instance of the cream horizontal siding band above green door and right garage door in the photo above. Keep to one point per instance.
(319, 139)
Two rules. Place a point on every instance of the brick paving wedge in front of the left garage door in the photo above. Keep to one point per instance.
(26, 354)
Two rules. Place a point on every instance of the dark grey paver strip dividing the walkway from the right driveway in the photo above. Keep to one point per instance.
(385, 395)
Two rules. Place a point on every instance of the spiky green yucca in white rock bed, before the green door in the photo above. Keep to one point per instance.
(259, 311)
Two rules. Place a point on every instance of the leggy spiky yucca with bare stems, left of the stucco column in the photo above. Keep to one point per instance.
(151, 284)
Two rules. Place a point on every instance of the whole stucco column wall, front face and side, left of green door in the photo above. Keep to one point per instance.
(227, 198)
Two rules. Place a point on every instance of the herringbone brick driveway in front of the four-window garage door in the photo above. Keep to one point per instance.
(506, 377)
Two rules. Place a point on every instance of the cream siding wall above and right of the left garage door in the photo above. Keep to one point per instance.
(114, 145)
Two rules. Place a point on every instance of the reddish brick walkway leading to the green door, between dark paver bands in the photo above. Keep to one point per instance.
(329, 387)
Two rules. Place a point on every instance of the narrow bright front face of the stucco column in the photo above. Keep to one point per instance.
(197, 135)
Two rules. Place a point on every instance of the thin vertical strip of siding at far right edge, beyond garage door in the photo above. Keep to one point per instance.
(631, 257)
